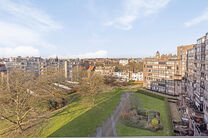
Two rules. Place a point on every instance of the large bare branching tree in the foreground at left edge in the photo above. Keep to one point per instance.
(17, 102)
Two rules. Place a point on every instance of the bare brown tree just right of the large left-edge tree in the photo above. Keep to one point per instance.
(49, 83)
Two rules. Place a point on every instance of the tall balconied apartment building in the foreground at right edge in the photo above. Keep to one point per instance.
(194, 98)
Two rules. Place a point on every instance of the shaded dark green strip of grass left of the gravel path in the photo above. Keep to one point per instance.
(86, 123)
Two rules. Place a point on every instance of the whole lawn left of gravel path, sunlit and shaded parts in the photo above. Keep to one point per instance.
(79, 119)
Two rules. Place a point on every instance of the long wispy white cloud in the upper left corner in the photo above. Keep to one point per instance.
(28, 14)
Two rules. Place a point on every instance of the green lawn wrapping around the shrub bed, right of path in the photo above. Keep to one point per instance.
(149, 103)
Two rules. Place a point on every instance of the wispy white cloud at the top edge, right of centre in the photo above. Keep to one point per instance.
(134, 10)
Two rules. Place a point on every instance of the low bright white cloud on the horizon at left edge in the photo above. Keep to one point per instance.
(18, 51)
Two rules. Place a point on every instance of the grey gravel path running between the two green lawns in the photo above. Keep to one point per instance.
(109, 126)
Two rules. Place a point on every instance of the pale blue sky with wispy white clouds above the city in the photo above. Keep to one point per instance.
(99, 28)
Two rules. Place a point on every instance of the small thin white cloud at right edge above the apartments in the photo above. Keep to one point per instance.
(197, 20)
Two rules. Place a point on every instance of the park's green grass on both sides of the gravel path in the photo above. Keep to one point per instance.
(80, 120)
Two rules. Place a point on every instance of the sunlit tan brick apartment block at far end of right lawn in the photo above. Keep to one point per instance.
(162, 73)
